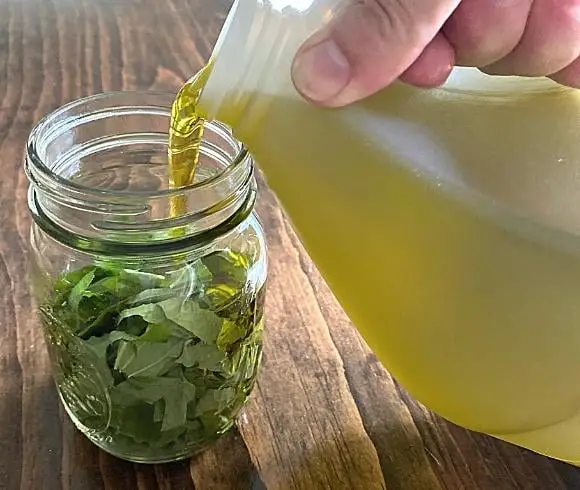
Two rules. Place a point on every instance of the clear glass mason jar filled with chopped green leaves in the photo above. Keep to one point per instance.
(153, 323)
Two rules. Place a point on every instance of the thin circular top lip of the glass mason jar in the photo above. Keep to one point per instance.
(50, 119)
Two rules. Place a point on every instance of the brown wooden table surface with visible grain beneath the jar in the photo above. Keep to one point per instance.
(325, 414)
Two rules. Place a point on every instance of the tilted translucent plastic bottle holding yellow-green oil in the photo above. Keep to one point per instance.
(445, 221)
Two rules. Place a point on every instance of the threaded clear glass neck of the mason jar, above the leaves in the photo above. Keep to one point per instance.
(124, 220)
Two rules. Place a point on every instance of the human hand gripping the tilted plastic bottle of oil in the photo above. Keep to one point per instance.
(371, 43)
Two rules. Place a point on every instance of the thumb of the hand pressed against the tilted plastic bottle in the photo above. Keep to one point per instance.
(368, 45)
